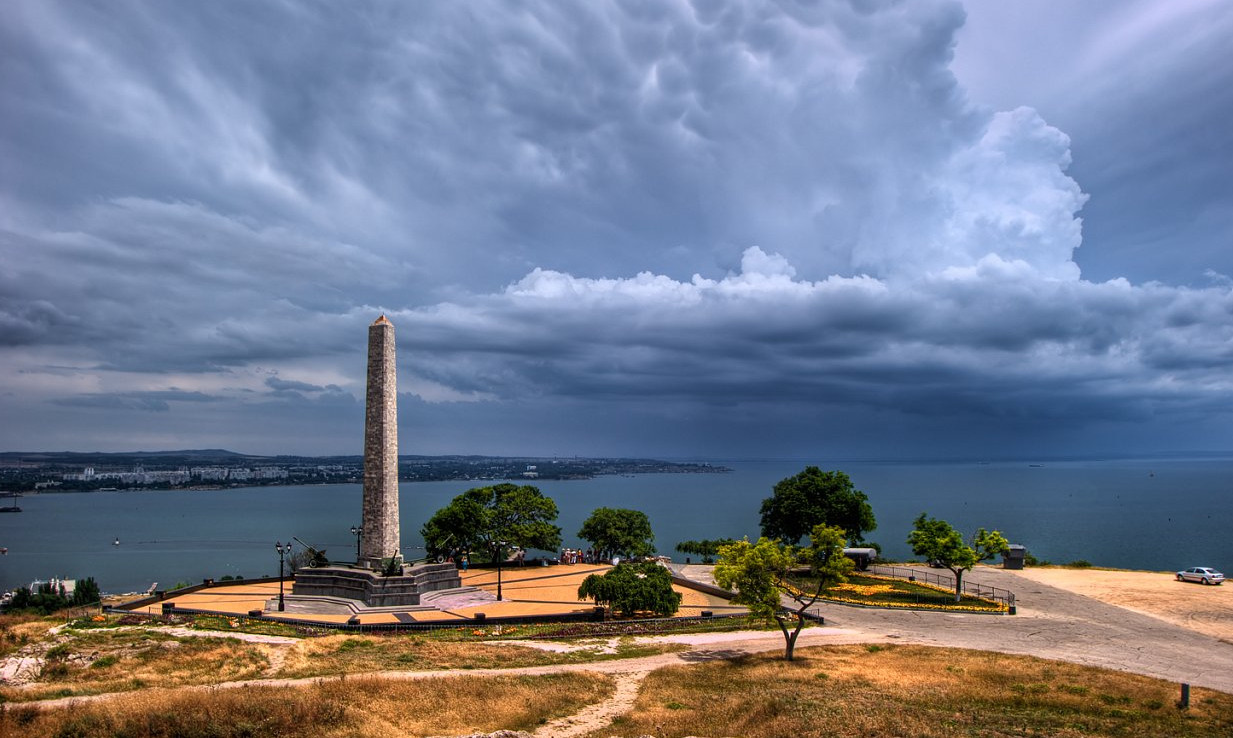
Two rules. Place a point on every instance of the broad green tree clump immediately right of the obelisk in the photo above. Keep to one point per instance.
(481, 518)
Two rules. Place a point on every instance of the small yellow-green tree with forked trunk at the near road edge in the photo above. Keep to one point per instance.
(760, 575)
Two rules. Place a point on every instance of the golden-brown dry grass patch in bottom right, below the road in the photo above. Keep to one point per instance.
(883, 692)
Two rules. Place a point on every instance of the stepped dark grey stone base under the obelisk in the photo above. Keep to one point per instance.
(372, 588)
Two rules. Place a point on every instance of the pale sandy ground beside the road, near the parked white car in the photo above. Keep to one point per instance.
(1158, 594)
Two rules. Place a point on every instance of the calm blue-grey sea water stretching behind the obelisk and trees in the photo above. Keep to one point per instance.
(1142, 516)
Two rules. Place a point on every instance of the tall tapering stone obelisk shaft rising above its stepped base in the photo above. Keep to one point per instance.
(379, 539)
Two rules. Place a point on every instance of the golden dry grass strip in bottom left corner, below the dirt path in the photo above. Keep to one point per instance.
(338, 710)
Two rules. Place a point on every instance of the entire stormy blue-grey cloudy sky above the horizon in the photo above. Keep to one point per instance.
(833, 230)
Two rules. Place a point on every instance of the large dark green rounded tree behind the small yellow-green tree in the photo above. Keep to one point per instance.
(817, 498)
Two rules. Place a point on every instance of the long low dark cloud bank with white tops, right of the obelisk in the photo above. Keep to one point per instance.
(993, 338)
